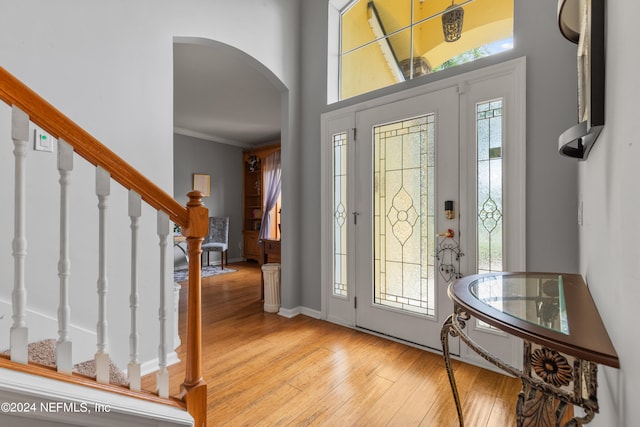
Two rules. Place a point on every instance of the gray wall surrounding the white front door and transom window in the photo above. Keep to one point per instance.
(552, 231)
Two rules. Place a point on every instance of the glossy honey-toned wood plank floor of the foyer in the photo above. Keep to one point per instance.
(265, 370)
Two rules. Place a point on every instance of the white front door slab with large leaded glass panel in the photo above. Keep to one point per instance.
(406, 168)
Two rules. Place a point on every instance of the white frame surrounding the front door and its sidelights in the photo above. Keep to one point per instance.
(341, 311)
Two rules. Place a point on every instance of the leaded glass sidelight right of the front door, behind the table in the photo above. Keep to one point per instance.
(489, 188)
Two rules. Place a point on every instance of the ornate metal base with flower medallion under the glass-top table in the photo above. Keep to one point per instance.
(550, 380)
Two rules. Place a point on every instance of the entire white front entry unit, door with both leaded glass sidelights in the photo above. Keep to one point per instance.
(389, 167)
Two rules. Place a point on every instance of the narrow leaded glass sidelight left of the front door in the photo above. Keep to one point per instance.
(340, 214)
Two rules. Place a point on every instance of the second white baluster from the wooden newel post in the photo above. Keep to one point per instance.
(133, 369)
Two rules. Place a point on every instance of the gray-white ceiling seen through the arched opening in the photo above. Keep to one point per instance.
(222, 95)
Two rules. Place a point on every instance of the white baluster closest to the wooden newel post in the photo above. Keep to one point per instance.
(162, 376)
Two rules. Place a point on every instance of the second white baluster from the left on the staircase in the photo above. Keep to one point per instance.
(63, 346)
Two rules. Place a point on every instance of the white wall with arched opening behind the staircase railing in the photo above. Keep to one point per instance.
(108, 66)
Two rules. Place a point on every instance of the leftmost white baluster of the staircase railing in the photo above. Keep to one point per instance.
(19, 332)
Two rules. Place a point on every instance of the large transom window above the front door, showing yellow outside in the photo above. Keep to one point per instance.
(384, 42)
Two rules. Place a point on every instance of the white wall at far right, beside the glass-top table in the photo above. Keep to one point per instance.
(609, 252)
